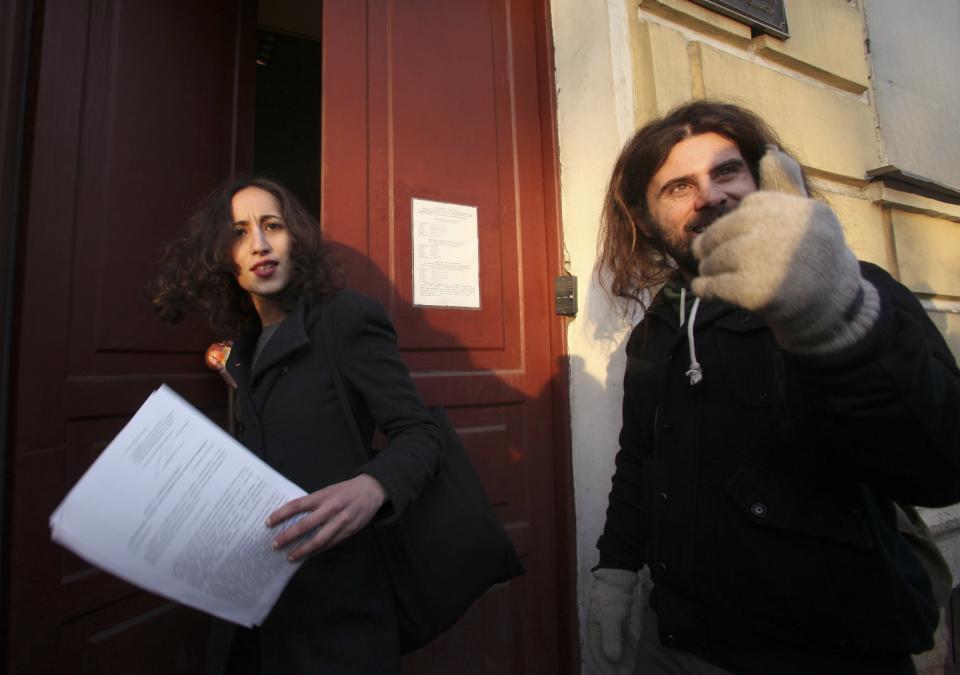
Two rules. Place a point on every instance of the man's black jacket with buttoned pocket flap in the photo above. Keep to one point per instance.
(761, 498)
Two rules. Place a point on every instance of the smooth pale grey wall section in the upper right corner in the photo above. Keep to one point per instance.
(914, 51)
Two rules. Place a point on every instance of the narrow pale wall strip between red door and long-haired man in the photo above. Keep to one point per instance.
(595, 117)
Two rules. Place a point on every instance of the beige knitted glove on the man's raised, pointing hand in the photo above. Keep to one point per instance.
(782, 254)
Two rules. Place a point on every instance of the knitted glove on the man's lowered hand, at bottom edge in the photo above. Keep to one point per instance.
(608, 621)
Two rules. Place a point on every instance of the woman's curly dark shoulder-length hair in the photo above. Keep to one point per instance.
(198, 272)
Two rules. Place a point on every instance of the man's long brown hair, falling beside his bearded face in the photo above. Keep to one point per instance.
(632, 260)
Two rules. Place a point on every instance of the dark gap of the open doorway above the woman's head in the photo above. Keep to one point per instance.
(288, 93)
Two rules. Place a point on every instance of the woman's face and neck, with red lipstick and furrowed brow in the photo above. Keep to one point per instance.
(261, 249)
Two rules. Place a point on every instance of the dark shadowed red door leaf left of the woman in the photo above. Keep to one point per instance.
(135, 117)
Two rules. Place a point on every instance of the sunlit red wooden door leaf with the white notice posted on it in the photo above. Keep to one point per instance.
(451, 101)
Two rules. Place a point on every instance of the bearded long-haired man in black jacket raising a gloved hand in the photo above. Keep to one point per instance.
(781, 401)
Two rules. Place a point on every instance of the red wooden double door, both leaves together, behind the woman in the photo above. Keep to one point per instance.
(140, 107)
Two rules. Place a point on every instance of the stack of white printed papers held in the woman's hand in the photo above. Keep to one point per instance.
(176, 506)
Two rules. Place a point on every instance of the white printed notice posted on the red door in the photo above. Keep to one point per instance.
(446, 262)
